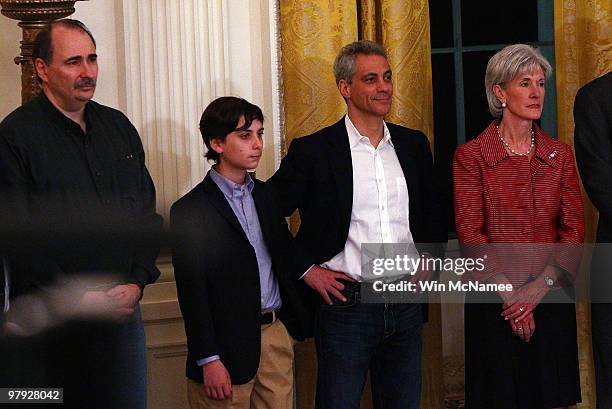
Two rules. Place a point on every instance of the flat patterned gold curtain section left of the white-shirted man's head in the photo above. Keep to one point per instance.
(312, 32)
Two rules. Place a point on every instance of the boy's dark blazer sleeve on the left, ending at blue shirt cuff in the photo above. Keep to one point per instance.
(191, 284)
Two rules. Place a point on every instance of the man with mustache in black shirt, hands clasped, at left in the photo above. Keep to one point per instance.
(82, 210)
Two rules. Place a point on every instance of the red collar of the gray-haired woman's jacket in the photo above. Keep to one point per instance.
(493, 150)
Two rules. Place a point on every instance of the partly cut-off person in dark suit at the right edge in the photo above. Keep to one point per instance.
(593, 140)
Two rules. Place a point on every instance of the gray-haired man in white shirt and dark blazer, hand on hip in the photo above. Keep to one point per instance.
(362, 180)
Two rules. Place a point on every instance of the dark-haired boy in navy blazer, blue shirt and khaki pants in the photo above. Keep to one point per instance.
(236, 272)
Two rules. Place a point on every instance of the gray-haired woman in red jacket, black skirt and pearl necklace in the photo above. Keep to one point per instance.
(516, 185)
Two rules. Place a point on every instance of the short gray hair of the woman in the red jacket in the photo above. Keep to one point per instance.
(506, 64)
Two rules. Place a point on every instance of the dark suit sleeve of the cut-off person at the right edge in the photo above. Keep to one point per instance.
(593, 142)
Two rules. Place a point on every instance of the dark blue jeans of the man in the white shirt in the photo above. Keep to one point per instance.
(352, 337)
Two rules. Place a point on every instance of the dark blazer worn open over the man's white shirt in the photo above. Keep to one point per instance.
(316, 178)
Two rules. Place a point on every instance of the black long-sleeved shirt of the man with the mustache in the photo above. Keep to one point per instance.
(75, 201)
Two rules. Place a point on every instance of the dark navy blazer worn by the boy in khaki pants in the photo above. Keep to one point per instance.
(217, 278)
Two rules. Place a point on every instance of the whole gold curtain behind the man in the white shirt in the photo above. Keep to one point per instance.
(312, 33)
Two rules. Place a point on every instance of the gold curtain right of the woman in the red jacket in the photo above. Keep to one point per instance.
(583, 51)
